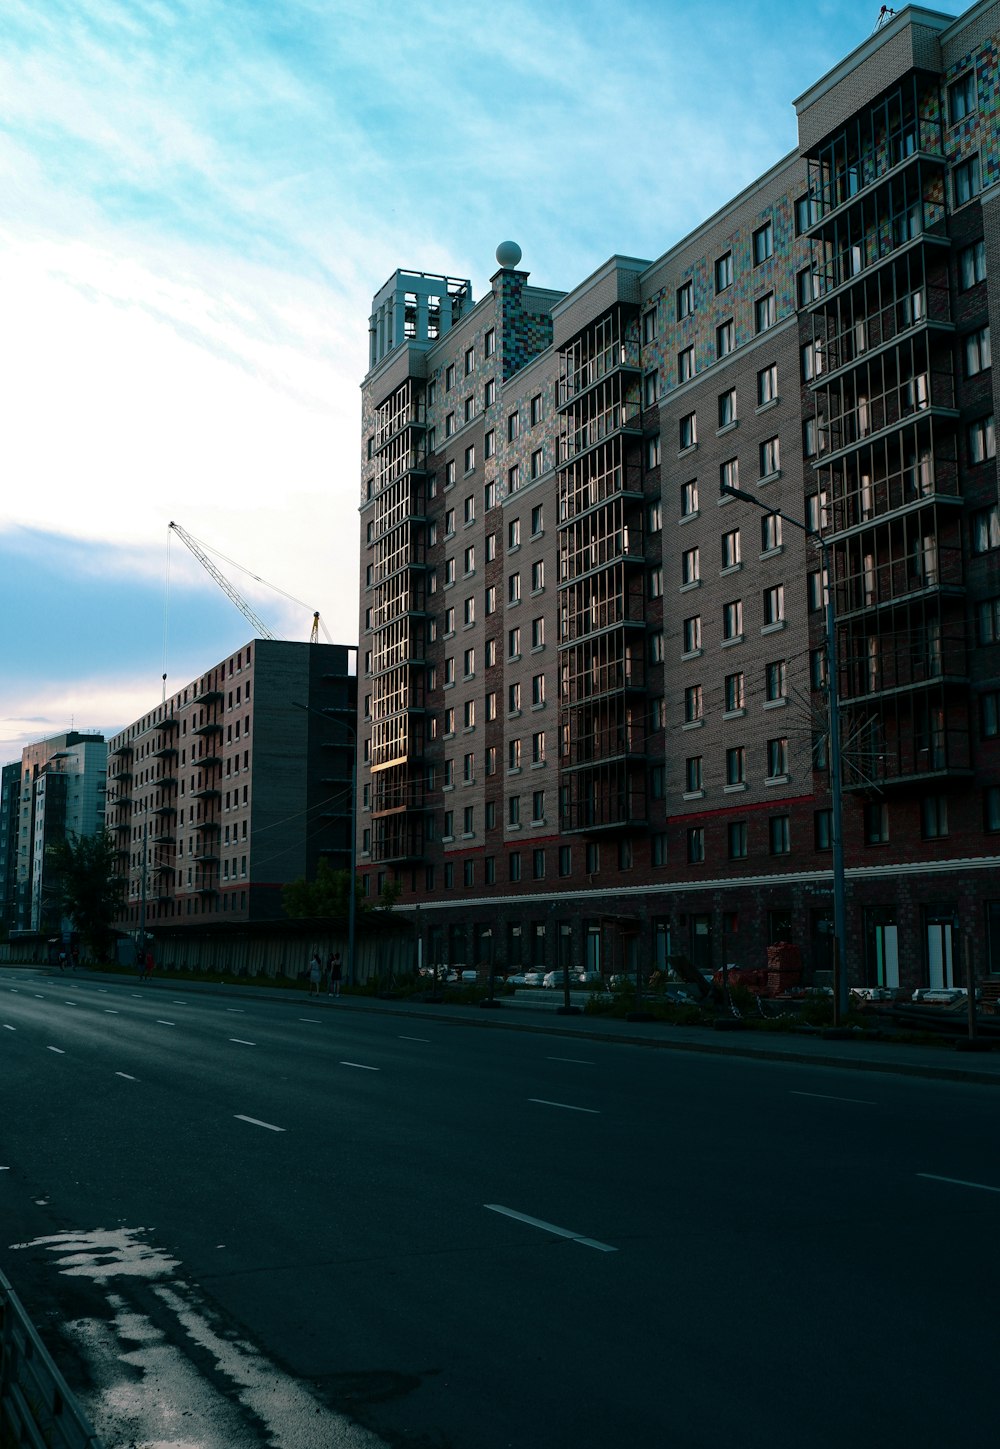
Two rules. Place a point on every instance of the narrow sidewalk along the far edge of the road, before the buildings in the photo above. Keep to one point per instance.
(944, 1063)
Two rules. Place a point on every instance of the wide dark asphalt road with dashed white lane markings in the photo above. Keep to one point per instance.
(247, 1222)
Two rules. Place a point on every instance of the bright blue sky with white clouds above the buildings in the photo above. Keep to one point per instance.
(198, 202)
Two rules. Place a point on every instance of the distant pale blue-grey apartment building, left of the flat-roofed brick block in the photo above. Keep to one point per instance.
(62, 796)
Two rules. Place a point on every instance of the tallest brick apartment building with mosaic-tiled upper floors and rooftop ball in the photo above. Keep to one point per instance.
(595, 702)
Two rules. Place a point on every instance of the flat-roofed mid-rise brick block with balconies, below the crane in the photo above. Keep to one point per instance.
(236, 786)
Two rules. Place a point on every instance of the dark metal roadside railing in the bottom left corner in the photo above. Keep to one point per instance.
(37, 1409)
